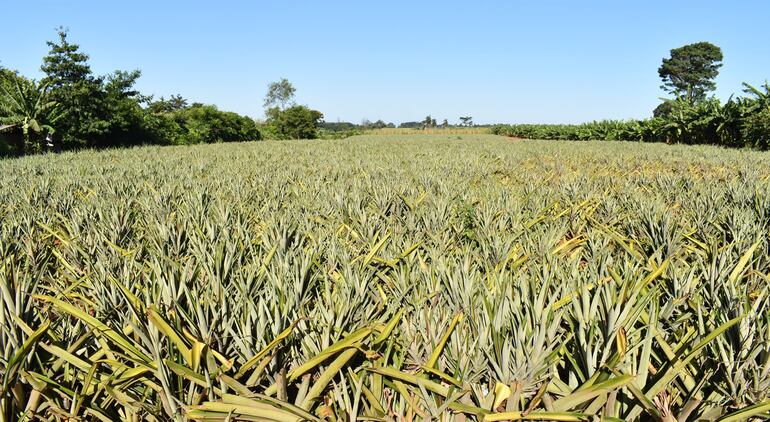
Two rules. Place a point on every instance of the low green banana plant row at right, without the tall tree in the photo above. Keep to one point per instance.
(740, 122)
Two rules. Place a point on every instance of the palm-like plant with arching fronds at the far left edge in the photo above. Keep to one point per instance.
(27, 105)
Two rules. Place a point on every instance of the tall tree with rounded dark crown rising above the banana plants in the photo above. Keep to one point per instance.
(690, 70)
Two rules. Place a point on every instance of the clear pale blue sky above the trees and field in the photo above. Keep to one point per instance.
(498, 61)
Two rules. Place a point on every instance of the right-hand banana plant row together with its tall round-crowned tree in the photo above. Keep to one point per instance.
(690, 116)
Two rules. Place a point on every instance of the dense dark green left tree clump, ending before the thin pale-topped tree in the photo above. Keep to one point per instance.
(78, 109)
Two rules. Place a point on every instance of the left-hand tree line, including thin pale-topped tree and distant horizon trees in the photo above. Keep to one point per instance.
(71, 108)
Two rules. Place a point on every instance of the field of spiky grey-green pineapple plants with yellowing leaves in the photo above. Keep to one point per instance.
(387, 278)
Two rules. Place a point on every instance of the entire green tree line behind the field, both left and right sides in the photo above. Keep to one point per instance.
(72, 108)
